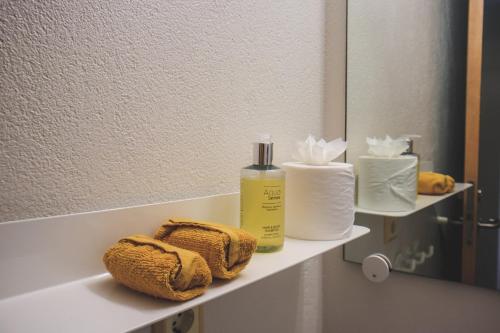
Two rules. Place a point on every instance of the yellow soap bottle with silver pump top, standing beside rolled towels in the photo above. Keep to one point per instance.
(262, 199)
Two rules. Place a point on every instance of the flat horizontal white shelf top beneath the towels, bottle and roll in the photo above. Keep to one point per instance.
(99, 304)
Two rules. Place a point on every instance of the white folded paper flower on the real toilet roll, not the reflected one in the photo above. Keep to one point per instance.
(319, 152)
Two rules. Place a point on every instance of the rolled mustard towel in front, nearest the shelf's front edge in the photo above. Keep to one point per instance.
(158, 269)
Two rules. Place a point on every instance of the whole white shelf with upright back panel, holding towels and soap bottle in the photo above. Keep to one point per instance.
(53, 280)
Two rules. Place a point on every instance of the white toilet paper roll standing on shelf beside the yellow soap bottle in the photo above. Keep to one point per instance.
(319, 200)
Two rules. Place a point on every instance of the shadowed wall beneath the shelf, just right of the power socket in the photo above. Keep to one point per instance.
(288, 302)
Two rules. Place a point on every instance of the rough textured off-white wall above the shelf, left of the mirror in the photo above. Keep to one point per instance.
(111, 104)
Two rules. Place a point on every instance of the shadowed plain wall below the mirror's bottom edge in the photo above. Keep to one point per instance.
(403, 303)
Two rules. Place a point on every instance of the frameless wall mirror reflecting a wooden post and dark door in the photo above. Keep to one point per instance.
(440, 82)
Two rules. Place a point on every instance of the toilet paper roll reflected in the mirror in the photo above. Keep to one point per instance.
(387, 183)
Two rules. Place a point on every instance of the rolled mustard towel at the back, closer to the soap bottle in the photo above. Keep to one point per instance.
(227, 250)
